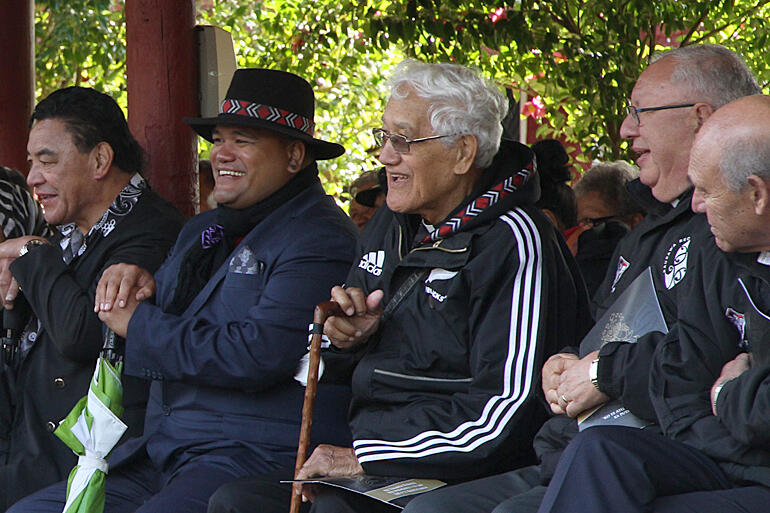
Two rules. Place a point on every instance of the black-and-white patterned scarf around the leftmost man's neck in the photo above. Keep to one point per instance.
(74, 243)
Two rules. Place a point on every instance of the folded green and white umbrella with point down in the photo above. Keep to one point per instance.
(91, 430)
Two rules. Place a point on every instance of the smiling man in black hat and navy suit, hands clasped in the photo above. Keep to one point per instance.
(224, 336)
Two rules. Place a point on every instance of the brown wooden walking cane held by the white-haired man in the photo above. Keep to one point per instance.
(322, 312)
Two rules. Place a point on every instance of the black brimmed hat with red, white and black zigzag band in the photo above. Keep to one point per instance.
(272, 100)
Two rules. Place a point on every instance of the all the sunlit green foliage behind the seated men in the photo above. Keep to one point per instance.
(580, 57)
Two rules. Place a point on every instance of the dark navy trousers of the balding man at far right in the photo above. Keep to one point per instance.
(612, 469)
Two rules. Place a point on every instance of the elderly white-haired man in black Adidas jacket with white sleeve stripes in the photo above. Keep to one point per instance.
(462, 290)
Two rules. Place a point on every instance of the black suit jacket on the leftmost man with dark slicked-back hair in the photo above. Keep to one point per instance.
(57, 370)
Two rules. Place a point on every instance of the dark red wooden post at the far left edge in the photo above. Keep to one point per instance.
(17, 88)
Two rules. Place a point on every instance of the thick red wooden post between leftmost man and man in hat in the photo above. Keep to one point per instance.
(161, 68)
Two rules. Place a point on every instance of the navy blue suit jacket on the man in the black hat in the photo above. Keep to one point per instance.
(223, 370)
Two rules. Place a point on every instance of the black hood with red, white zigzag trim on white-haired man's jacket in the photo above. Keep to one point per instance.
(510, 181)
